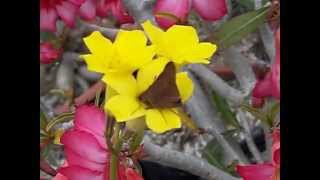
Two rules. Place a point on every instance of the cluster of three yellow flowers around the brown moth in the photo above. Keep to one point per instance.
(130, 67)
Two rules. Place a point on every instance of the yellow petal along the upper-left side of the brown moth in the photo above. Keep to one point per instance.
(149, 73)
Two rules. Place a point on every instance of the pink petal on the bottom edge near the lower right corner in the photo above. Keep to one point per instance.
(256, 172)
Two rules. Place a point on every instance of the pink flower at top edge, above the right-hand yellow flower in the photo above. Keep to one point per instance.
(210, 10)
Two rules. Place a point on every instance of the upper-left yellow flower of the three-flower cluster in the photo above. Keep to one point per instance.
(118, 60)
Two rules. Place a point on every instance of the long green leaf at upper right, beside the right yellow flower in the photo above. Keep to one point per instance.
(239, 27)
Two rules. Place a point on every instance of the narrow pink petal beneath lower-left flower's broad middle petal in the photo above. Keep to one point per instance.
(74, 159)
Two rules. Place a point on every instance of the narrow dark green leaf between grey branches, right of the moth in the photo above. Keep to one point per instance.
(225, 110)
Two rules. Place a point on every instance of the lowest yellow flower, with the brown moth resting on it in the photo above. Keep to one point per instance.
(125, 107)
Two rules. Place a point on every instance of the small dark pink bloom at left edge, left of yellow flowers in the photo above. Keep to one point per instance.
(48, 54)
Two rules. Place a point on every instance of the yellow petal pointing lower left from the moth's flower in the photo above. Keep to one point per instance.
(124, 108)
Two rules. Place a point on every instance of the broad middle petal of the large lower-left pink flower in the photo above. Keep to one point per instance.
(85, 145)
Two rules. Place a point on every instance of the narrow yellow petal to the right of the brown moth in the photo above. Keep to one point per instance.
(185, 86)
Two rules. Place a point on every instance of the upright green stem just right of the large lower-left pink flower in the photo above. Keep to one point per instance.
(114, 157)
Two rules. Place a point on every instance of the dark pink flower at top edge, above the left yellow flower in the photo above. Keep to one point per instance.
(117, 10)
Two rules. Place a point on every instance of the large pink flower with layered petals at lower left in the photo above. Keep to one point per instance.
(87, 154)
